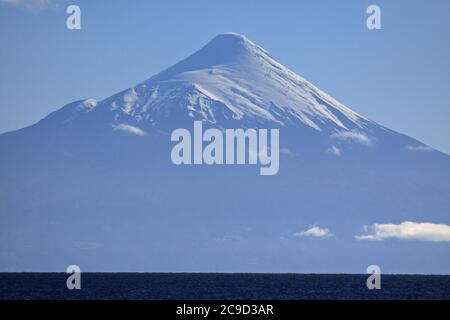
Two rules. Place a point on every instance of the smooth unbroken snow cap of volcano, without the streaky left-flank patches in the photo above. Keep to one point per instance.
(234, 72)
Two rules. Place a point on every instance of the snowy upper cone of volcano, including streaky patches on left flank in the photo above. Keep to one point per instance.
(231, 78)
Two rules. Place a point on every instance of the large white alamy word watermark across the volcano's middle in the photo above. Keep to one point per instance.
(233, 146)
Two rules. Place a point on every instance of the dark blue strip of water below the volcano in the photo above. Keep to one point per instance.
(192, 286)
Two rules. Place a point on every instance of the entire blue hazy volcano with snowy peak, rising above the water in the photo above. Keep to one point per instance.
(93, 183)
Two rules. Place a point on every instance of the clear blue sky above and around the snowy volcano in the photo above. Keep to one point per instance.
(398, 76)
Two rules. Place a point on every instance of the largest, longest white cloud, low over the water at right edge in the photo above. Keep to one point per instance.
(407, 231)
